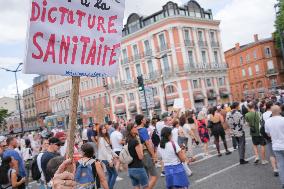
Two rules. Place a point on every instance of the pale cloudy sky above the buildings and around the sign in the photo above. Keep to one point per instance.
(240, 20)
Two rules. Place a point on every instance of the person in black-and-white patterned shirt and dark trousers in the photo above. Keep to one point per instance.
(236, 123)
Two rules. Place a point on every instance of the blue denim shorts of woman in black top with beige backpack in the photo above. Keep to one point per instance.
(138, 177)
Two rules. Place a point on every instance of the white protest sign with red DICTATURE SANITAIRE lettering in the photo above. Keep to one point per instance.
(74, 37)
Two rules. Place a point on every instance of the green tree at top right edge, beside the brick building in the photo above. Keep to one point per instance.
(279, 23)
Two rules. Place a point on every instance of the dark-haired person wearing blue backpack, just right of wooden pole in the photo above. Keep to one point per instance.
(89, 172)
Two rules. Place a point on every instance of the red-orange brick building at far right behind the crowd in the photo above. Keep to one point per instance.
(266, 73)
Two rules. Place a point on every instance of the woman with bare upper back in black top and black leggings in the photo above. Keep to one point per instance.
(216, 125)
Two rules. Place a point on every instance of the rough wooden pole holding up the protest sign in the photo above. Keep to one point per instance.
(73, 117)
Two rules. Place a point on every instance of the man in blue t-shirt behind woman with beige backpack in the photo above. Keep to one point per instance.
(150, 157)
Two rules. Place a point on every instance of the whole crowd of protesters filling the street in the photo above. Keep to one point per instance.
(166, 141)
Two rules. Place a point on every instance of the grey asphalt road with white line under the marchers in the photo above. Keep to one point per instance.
(220, 172)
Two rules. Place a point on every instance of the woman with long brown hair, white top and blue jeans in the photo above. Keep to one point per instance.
(106, 155)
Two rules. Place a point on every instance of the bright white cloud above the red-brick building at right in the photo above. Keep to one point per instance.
(241, 19)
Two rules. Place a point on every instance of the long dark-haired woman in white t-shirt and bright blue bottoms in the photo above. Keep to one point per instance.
(173, 156)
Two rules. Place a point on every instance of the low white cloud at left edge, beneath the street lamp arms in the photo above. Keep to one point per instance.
(11, 90)
